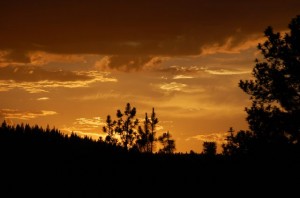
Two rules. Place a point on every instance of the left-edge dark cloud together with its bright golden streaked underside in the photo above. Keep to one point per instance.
(35, 80)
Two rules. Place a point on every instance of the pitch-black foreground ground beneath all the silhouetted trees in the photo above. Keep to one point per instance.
(32, 168)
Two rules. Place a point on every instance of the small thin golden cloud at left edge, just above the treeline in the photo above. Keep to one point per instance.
(24, 115)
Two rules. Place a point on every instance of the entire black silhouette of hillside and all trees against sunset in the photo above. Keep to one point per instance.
(132, 162)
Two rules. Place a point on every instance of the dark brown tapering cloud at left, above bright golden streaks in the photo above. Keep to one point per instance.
(34, 74)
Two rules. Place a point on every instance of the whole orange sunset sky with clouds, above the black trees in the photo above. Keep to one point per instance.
(69, 63)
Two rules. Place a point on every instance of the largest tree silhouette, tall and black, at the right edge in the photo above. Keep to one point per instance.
(273, 117)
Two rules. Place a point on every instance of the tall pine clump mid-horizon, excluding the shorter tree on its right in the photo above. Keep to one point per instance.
(127, 132)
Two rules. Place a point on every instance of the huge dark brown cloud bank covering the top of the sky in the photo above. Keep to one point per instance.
(135, 27)
